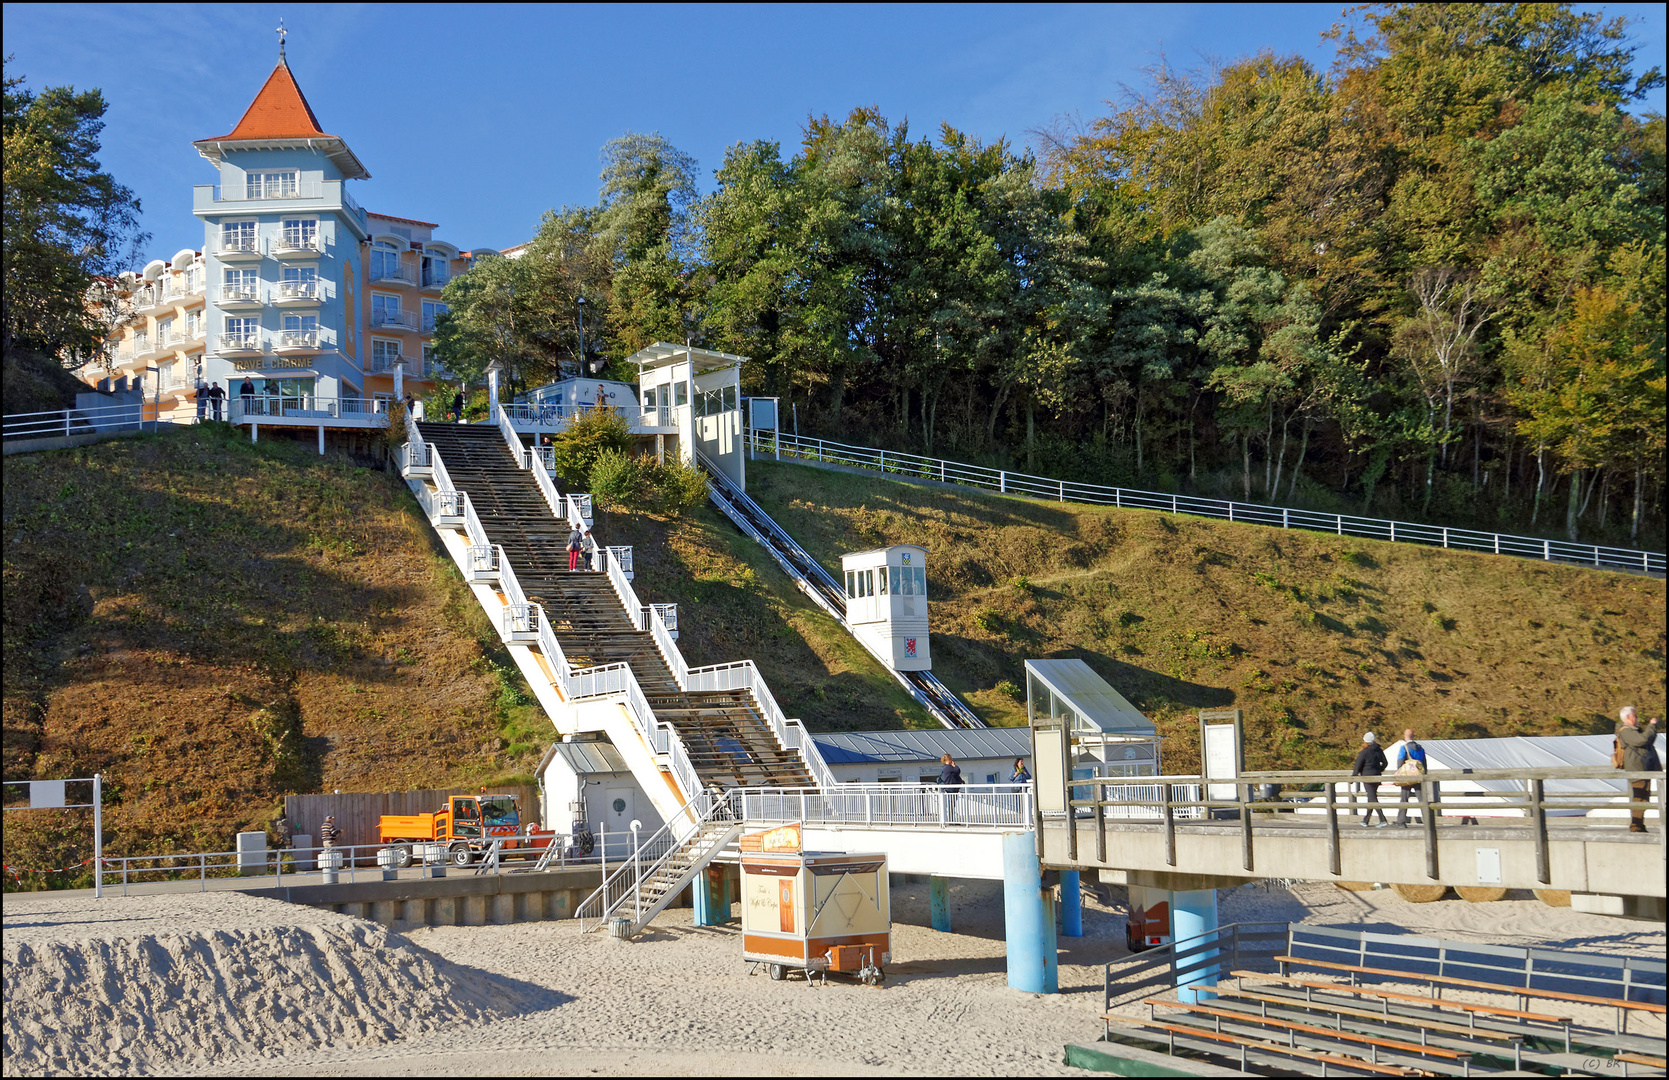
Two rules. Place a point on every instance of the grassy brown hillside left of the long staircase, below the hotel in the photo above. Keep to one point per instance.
(214, 625)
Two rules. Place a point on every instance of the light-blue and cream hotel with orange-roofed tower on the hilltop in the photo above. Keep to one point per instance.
(296, 290)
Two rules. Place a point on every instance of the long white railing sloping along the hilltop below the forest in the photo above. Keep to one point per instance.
(1251, 513)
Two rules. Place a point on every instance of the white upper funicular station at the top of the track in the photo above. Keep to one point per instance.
(698, 391)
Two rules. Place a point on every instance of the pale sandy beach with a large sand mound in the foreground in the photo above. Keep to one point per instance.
(228, 984)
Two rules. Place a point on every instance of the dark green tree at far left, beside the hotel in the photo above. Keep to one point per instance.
(66, 221)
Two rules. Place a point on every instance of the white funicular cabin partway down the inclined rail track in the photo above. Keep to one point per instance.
(887, 603)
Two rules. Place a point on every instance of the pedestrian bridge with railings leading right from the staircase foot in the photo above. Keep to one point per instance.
(1266, 825)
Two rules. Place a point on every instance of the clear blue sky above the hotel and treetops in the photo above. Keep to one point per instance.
(483, 118)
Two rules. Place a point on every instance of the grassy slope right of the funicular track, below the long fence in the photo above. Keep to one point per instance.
(1318, 638)
